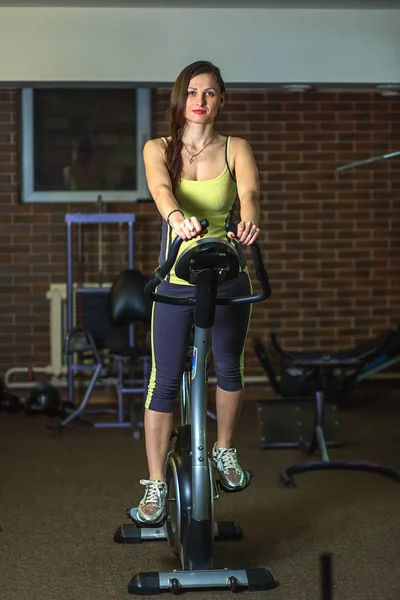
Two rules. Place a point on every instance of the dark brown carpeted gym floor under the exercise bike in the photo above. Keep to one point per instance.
(62, 497)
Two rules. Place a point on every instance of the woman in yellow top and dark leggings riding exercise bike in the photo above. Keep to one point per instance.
(196, 174)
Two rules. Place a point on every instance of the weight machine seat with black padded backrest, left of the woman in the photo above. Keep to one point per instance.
(110, 315)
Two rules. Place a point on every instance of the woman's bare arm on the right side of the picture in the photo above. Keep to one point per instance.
(248, 191)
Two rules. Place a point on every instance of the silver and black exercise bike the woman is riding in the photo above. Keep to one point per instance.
(189, 526)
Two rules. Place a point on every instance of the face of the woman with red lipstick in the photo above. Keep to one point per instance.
(204, 99)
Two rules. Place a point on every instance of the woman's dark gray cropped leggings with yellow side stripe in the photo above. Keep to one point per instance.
(170, 330)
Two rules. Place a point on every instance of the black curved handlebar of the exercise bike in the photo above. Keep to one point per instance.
(162, 271)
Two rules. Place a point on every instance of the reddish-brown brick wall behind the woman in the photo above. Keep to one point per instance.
(330, 241)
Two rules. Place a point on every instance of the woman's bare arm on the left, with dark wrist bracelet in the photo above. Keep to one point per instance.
(160, 187)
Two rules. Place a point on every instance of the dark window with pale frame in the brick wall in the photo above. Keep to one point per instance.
(82, 143)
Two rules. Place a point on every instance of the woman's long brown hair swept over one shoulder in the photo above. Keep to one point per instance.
(176, 113)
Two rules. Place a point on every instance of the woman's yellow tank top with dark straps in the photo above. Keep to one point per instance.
(212, 199)
